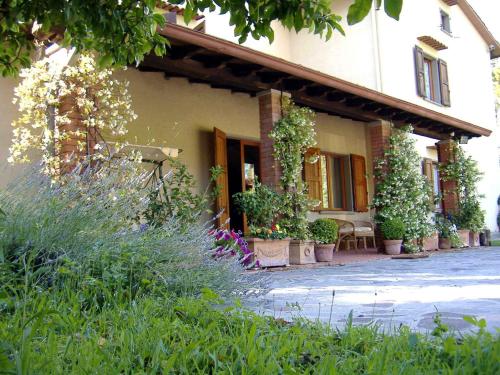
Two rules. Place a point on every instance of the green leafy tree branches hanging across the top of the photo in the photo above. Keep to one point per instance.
(122, 31)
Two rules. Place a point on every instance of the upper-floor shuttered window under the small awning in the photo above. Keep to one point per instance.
(432, 78)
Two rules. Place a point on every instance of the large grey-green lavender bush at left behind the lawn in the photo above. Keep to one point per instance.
(84, 229)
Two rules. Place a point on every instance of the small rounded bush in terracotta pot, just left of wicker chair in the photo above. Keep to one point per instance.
(325, 233)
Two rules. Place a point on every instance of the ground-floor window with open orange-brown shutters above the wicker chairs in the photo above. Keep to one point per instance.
(337, 182)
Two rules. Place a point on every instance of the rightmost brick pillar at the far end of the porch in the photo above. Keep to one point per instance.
(446, 153)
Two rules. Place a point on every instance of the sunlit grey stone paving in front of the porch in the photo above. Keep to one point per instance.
(392, 292)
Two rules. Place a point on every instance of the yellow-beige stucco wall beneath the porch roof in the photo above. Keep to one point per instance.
(178, 114)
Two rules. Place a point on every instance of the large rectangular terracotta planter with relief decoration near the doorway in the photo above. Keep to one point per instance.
(270, 253)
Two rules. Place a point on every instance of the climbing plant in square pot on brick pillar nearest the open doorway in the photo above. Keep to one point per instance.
(293, 134)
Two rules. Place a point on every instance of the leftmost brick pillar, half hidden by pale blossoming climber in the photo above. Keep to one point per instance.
(75, 141)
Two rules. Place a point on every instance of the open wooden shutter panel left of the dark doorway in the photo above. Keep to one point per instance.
(222, 202)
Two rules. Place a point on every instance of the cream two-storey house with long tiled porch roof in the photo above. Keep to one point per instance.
(216, 100)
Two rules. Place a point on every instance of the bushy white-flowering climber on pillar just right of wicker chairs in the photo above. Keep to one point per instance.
(402, 191)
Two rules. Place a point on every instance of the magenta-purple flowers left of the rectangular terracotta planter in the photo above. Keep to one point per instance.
(231, 243)
